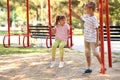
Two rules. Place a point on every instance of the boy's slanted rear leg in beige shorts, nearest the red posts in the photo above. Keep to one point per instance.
(95, 52)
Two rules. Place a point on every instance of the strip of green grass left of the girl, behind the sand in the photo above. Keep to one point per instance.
(21, 50)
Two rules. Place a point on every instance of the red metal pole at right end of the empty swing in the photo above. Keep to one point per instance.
(27, 15)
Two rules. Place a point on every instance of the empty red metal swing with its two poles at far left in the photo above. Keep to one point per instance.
(19, 35)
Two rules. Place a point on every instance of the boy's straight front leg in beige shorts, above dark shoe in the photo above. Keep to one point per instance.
(87, 54)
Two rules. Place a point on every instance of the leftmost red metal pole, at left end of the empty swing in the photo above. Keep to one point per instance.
(8, 14)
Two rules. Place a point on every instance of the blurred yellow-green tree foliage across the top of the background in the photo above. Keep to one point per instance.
(57, 7)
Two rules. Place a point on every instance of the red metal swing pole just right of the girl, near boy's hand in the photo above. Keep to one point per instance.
(70, 8)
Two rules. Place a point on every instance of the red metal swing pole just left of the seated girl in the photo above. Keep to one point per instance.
(49, 18)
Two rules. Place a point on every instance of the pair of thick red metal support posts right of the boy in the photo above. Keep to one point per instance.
(102, 35)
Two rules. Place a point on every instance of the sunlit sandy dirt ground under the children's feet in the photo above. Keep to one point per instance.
(36, 67)
